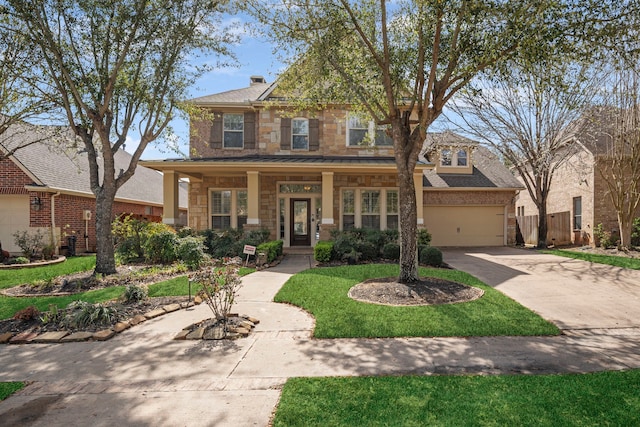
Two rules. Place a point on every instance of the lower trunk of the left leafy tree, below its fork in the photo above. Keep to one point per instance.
(105, 253)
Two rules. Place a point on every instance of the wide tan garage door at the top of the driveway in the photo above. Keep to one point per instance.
(465, 225)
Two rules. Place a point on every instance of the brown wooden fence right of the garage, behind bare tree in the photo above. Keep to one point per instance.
(558, 229)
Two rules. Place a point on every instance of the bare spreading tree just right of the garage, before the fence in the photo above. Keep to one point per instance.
(529, 115)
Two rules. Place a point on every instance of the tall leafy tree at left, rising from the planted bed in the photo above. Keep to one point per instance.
(117, 67)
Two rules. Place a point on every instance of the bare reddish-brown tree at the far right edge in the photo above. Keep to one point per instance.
(619, 165)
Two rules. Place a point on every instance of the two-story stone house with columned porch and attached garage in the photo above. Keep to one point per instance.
(256, 164)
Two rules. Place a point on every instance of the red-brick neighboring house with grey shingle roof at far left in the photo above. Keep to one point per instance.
(44, 186)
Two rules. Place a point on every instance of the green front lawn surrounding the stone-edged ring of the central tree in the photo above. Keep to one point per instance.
(323, 292)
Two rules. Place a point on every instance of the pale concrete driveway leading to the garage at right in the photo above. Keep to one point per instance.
(572, 294)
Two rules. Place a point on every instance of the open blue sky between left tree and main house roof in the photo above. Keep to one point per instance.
(255, 57)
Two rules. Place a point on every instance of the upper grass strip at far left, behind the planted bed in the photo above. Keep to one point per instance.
(13, 277)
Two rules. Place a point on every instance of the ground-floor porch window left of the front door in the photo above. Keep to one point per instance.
(228, 209)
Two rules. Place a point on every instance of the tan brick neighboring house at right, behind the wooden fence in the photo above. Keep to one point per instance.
(579, 189)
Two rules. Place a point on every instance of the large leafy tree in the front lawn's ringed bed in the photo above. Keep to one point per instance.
(402, 62)
